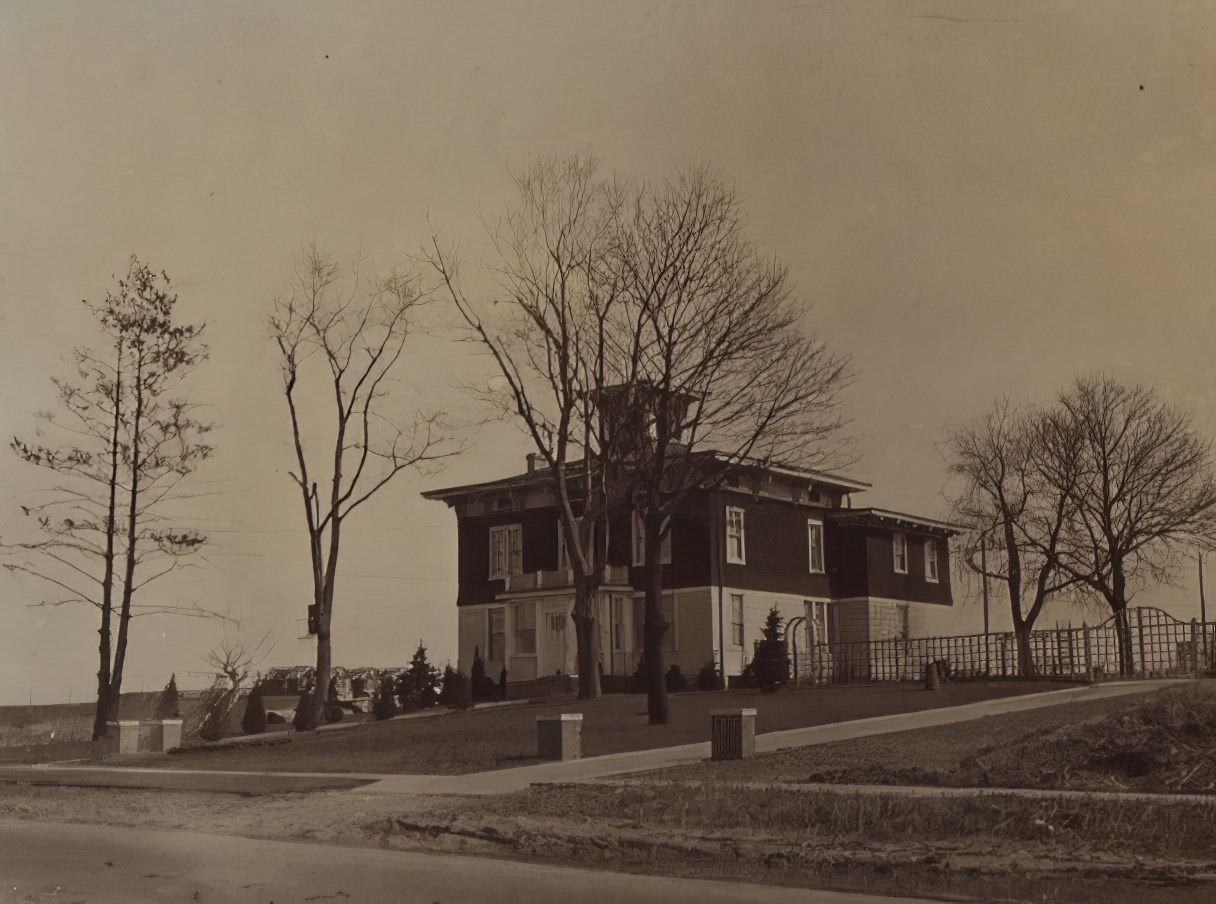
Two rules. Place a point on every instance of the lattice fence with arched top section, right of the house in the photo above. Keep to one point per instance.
(1144, 643)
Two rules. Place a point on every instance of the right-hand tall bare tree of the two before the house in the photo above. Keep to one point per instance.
(713, 349)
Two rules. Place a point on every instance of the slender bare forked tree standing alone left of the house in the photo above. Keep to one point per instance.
(348, 329)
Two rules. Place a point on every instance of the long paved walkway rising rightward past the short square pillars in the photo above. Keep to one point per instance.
(508, 781)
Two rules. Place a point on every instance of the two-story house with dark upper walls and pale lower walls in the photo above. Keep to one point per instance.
(767, 537)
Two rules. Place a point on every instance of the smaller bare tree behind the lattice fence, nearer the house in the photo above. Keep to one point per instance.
(1016, 516)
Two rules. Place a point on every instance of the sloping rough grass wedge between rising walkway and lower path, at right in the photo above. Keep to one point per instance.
(1158, 743)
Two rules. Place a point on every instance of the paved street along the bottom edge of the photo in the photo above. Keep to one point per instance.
(105, 866)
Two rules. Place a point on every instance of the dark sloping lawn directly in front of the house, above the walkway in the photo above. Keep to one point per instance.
(460, 743)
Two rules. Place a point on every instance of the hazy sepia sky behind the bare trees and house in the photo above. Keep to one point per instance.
(975, 199)
